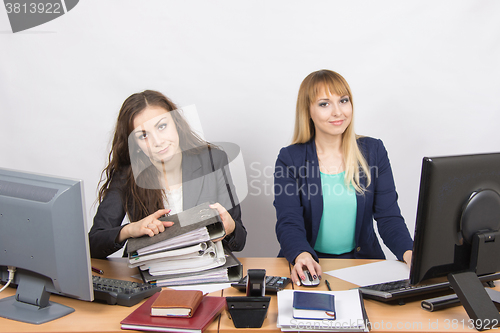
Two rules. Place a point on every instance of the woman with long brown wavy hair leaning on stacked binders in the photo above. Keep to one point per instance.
(157, 165)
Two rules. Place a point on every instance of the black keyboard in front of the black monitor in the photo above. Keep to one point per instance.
(389, 291)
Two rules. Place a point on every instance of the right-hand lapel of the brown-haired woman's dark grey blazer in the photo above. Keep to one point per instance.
(192, 180)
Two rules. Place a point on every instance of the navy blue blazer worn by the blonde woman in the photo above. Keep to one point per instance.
(299, 203)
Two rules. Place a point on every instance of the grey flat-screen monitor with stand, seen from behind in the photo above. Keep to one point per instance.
(43, 234)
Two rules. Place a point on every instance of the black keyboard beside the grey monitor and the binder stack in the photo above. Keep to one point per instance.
(121, 292)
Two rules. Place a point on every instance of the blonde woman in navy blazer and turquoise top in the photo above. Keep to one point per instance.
(330, 184)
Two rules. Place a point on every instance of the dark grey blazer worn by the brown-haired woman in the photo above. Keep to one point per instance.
(202, 182)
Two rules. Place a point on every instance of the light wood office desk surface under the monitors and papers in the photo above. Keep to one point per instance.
(96, 317)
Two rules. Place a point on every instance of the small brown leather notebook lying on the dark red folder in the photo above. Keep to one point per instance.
(176, 303)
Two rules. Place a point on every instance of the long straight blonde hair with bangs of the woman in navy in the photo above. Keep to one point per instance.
(311, 86)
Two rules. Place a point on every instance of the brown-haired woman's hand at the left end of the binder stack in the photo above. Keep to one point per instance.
(149, 225)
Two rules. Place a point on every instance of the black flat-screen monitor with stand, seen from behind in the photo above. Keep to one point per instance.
(457, 230)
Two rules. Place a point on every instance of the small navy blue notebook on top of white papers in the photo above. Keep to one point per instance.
(311, 305)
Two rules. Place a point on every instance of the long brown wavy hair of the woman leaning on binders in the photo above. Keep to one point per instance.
(138, 201)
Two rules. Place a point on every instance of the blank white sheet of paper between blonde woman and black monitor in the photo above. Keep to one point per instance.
(373, 273)
